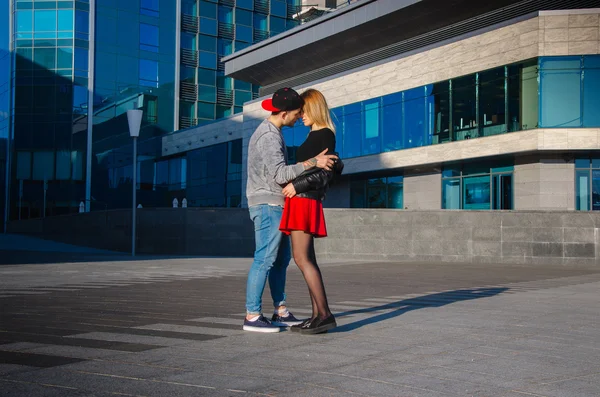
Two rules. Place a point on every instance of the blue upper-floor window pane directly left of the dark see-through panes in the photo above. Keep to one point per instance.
(414, 117)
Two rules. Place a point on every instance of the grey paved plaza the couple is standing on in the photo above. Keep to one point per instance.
(78, 322)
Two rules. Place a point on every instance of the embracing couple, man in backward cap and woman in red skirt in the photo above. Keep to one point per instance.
(286, 201)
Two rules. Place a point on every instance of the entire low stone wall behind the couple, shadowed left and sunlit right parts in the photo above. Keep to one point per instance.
(524, 237)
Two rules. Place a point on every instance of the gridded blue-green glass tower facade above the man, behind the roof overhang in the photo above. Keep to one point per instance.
(211, 30)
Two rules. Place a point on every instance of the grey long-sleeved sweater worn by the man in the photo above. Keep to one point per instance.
(268, 171)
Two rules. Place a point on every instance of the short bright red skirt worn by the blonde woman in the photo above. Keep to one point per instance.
(300, 213)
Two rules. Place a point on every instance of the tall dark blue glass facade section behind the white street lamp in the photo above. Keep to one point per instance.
(134, 67)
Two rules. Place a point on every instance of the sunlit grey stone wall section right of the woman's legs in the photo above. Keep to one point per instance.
(526, 237)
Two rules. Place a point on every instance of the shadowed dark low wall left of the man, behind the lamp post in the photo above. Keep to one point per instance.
(174, 231)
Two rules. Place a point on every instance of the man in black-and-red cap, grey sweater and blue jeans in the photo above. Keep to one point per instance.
(268, 172)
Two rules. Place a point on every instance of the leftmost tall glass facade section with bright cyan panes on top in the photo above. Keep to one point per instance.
(50, 83)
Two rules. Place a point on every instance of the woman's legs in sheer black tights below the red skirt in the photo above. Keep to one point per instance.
(303, 247)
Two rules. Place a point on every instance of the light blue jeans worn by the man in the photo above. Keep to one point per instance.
(271, 258)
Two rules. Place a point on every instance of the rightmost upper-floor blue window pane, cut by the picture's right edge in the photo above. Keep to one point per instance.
(591, 91)
